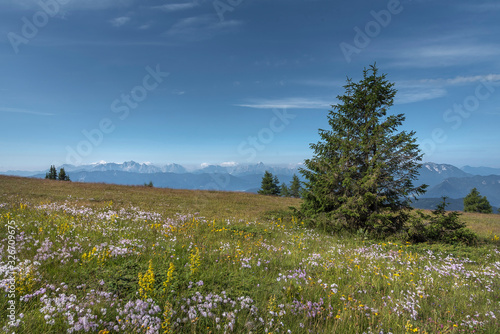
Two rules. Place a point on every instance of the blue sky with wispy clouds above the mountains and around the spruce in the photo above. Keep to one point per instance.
(240, 81)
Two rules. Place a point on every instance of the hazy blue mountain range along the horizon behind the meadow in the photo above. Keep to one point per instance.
(443, 179)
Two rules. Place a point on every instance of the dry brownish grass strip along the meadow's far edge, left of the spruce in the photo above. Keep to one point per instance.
(210, 204)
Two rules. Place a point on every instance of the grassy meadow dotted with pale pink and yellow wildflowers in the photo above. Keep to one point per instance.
(140, 259)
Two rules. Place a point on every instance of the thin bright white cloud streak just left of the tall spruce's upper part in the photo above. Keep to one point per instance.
(288, 103)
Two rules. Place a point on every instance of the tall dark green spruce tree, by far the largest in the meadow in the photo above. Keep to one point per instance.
(362, 172)
